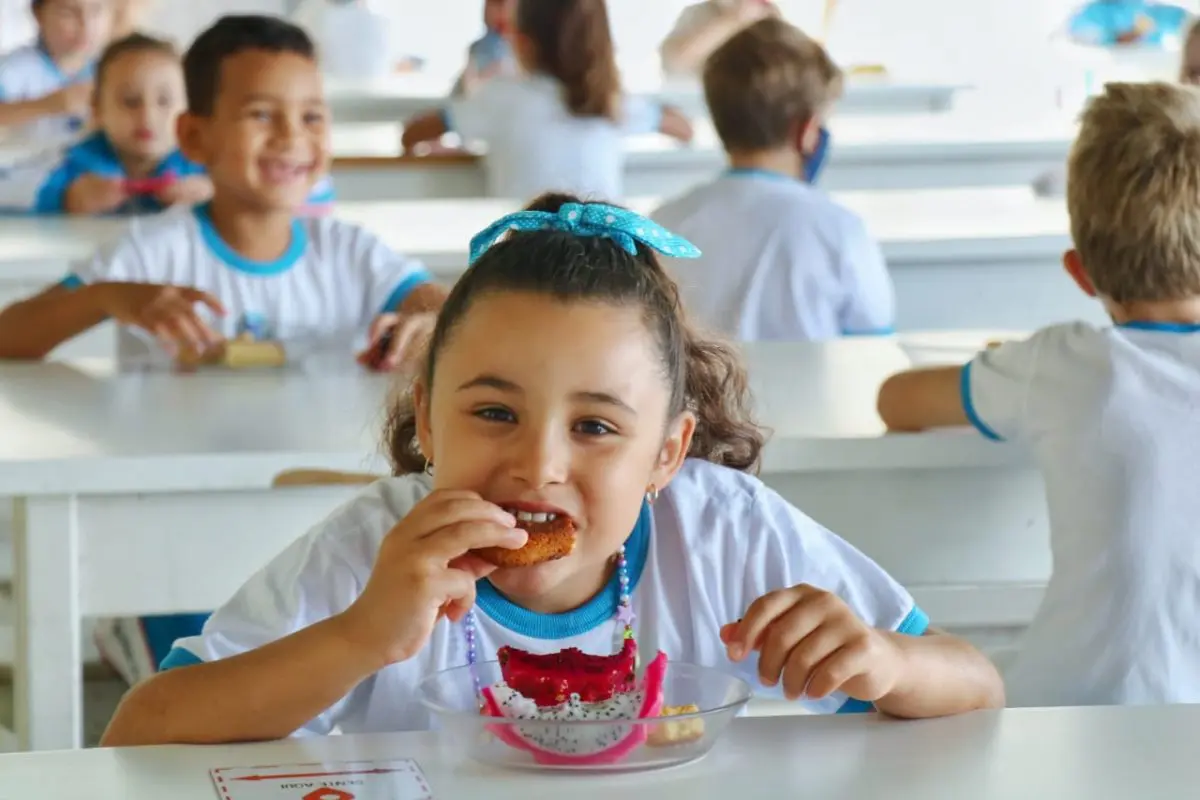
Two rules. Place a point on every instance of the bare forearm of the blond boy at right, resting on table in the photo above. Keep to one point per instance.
(923, 399)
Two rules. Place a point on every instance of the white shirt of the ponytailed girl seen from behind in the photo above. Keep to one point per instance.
(536, 145)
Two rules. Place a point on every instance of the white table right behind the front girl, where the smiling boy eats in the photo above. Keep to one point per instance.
(152, 494)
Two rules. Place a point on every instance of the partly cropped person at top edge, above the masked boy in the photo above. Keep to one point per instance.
(703, 28)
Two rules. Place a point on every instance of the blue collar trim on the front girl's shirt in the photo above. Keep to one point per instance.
(587, 617)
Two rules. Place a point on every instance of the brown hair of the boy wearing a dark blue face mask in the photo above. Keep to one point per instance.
(765, 81)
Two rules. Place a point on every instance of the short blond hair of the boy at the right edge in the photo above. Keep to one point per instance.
(1133, 191)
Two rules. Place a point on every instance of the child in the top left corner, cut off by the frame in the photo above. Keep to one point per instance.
(46, 88)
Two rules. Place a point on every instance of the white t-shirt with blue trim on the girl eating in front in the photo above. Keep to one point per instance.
(715, 543)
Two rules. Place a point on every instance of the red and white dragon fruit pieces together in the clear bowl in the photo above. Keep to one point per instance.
(568, 687)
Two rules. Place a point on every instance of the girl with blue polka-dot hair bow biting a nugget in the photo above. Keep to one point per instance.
(562, 378)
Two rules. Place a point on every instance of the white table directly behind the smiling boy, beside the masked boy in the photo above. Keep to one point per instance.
(959, 258)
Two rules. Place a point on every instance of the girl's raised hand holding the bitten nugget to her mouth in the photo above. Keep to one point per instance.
(425, 572)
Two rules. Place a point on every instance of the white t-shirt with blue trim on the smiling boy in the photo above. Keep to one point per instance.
(333, 281)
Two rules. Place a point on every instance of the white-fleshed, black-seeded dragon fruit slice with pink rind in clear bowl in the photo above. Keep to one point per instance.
(555, 743)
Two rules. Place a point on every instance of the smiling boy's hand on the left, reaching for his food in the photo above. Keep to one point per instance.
(166, 312)
